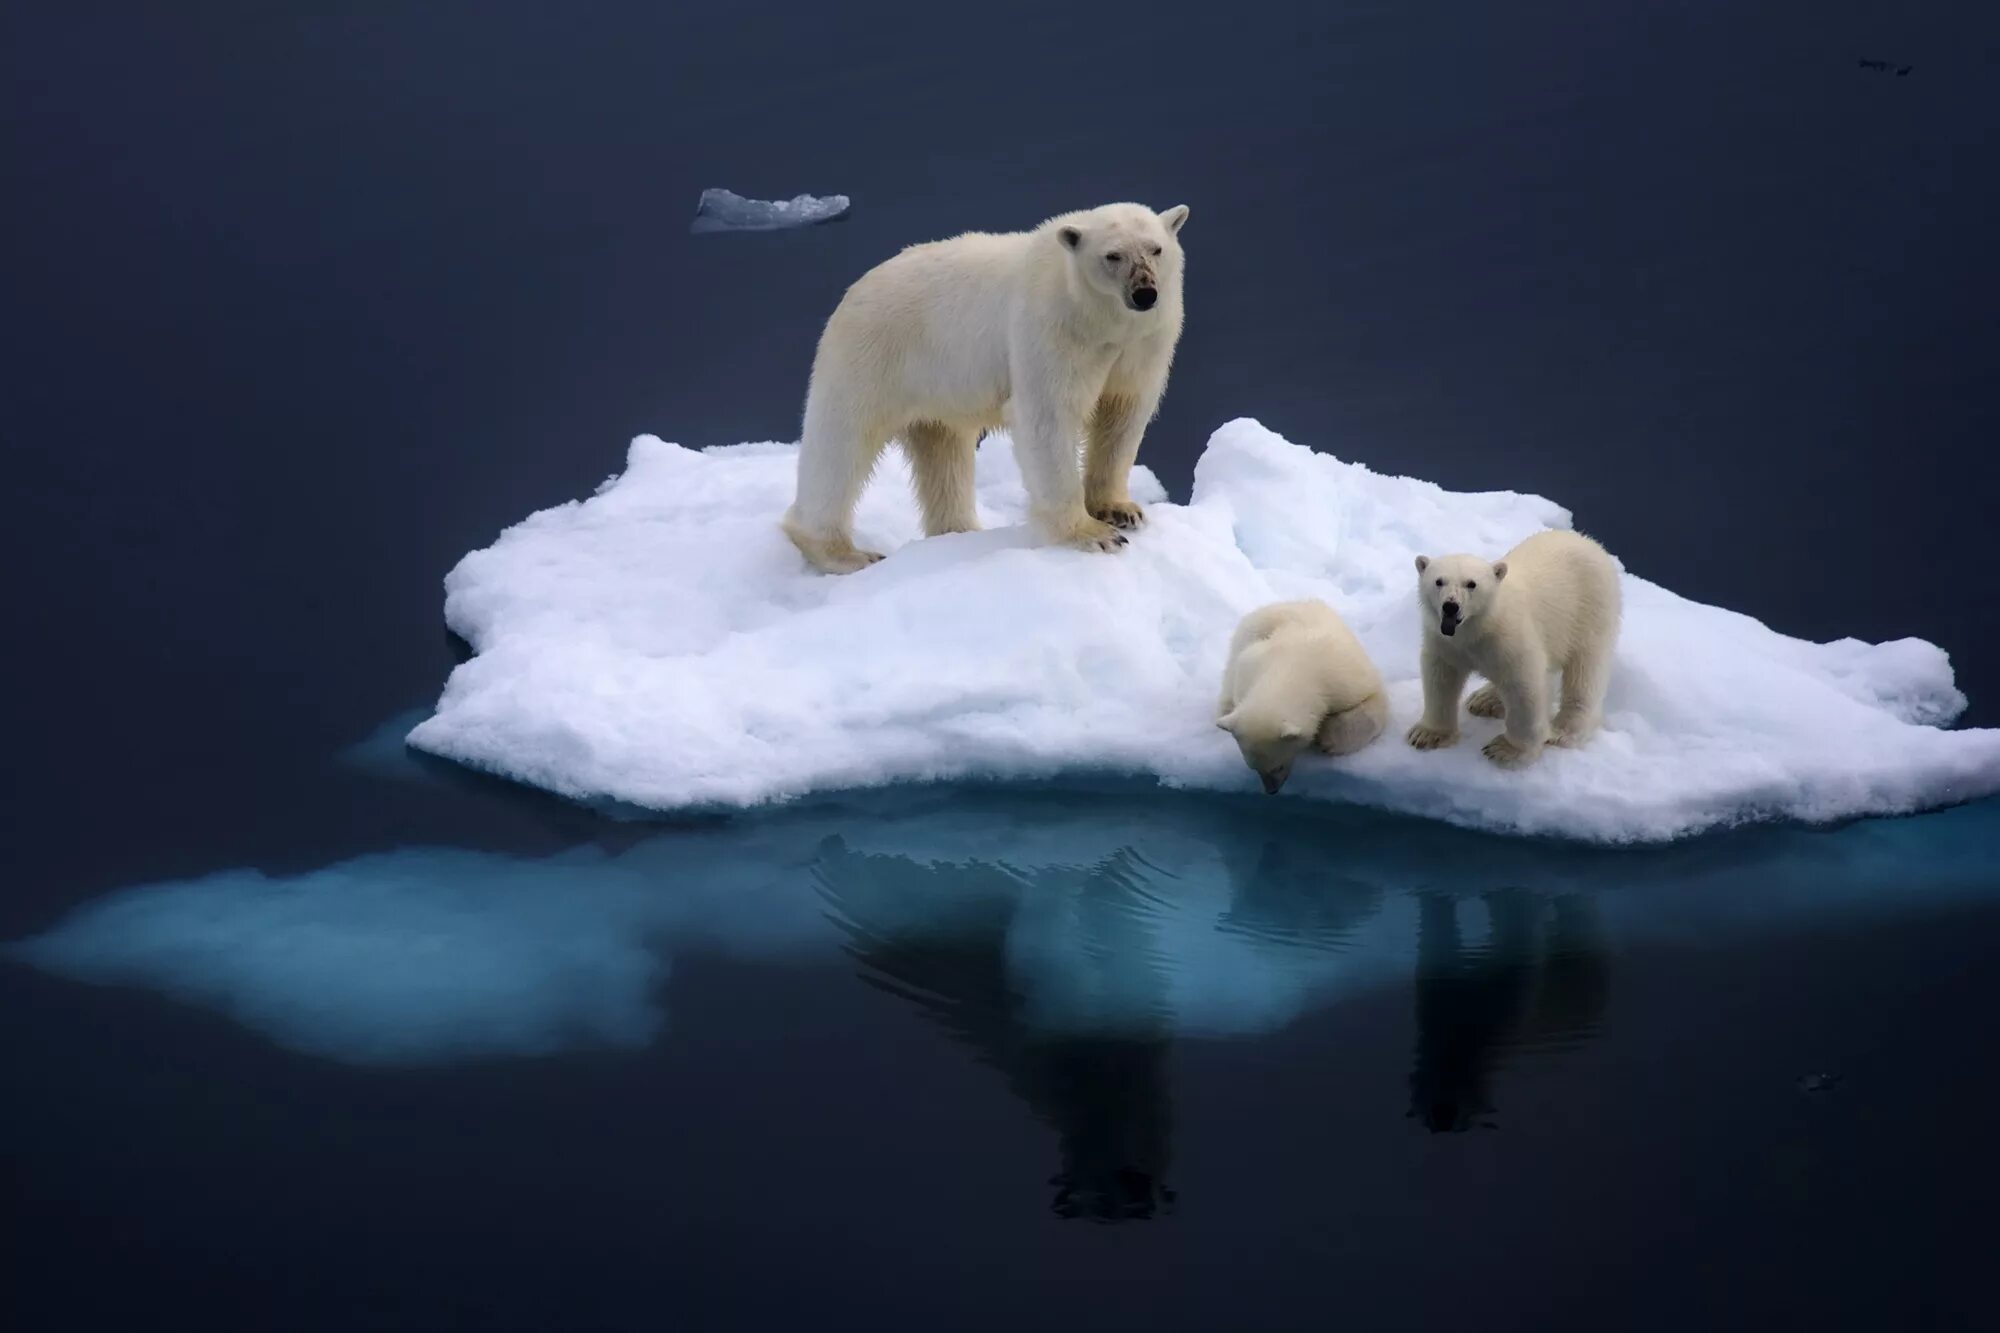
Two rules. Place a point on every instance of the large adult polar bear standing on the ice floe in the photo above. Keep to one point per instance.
(1063, 333)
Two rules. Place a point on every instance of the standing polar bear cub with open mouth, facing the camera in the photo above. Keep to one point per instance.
(1551, 605)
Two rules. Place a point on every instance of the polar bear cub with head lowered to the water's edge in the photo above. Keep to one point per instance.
(1297, 676)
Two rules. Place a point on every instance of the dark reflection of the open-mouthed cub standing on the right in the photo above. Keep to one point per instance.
(1537, 982)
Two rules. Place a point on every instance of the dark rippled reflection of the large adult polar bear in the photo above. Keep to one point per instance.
(1085, 1046)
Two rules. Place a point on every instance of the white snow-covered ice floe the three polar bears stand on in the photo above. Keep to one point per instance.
(663, 645)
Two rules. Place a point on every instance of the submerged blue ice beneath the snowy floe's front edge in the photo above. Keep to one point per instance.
(1033, 910)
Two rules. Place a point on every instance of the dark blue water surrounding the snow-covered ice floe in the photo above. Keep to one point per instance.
(307, 301)
